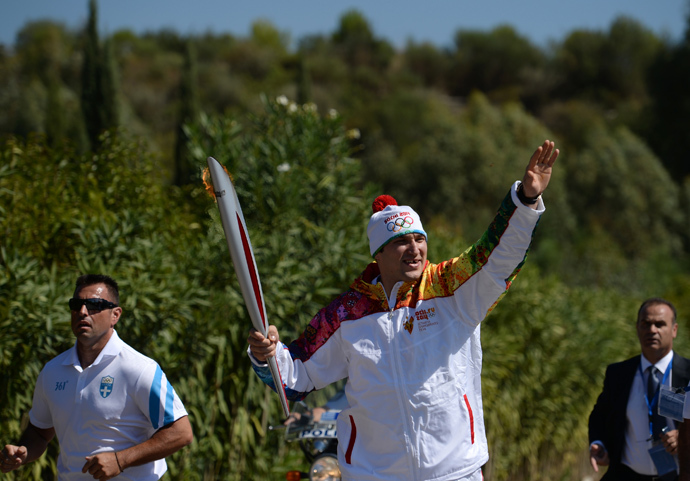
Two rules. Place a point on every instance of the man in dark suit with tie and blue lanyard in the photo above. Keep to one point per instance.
(624, 426)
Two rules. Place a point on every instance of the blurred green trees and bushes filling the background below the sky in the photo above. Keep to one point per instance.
(104, 141)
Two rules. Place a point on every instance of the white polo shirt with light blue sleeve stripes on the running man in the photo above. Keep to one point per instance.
(117, 402)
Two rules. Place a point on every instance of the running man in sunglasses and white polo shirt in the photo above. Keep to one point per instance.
(113, 410)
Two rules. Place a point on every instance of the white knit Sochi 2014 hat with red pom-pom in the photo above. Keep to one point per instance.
(389, 221)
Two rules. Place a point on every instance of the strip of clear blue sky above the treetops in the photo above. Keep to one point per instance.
(396, 21)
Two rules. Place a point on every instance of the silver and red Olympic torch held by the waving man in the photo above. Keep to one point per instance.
(243, 260)
